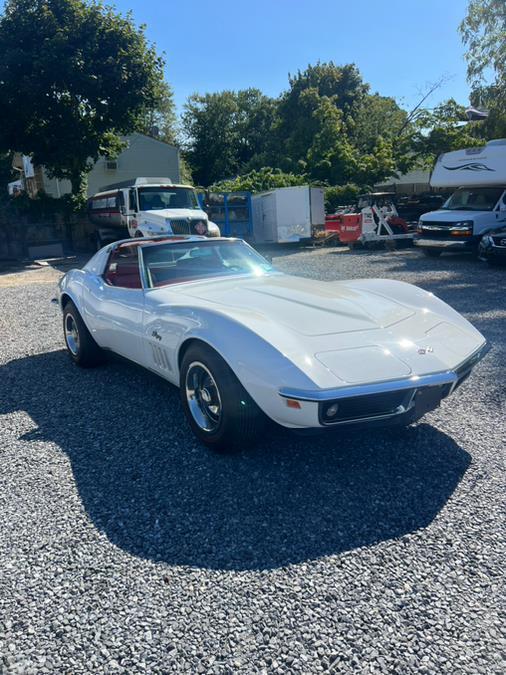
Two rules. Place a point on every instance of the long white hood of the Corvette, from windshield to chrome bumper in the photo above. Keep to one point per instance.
(341, 332)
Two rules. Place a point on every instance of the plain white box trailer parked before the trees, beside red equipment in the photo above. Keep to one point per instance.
(286, 215)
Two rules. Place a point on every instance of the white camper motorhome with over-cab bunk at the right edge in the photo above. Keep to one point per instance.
(478, 205)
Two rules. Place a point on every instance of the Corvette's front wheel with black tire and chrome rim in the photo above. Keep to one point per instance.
(221, 413)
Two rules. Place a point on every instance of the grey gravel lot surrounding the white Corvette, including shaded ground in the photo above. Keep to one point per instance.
(126, 547)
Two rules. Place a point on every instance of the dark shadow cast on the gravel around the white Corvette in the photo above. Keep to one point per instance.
(156, 493)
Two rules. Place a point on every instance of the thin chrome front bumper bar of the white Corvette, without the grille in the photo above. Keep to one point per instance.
(416, 381)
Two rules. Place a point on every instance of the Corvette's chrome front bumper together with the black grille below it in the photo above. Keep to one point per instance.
(396, 401)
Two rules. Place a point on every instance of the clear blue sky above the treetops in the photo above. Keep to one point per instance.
(399, 46)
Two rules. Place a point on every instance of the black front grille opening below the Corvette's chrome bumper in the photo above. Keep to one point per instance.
(361, 407)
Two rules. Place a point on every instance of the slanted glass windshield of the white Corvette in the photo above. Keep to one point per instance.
(189, 261)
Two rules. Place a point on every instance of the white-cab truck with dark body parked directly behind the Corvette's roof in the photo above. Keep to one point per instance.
(147, 207)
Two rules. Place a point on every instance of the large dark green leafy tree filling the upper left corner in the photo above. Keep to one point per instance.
(74, 75)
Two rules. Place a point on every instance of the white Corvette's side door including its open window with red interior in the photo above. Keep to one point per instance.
(115, 304)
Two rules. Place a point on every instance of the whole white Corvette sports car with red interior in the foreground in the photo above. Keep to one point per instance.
(245, 342)
